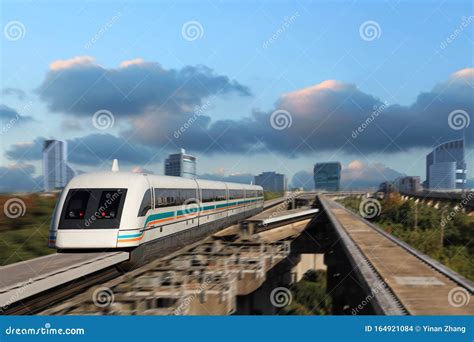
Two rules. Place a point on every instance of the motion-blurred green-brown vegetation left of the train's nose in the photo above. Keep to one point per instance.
(25, 237)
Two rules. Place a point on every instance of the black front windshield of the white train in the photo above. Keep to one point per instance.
(92, 208)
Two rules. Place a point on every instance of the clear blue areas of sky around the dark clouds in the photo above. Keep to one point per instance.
(322, 41)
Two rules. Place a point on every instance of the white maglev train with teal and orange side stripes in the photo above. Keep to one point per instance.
(147, 214)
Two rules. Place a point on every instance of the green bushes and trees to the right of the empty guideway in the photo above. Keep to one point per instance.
(428, 229)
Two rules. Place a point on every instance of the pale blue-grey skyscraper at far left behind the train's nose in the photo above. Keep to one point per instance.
(56, 171)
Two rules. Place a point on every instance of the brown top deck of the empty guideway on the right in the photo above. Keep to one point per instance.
(420, 284)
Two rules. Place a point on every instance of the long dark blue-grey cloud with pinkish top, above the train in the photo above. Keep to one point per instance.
(80, 86)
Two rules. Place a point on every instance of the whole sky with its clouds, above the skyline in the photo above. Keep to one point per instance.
(373, 95)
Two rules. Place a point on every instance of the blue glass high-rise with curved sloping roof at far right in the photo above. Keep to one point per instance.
(445, 167)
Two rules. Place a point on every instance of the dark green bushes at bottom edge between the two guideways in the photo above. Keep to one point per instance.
(309, 296)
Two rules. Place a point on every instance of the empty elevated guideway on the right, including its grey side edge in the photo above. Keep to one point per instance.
(401, 279)
